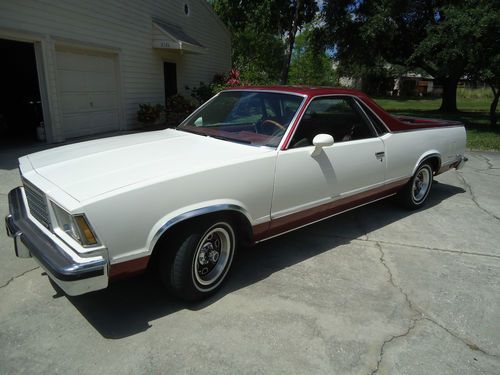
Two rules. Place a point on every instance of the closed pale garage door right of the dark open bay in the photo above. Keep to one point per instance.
(88, 93)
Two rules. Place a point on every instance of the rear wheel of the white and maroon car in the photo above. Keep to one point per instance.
(416, 191)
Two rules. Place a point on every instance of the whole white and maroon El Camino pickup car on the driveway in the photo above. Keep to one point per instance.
(250, 164)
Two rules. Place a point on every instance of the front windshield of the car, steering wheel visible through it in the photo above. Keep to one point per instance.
(256, 118)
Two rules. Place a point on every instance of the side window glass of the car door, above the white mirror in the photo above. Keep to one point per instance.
(336, 116)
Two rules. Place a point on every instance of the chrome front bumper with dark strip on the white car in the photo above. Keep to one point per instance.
(74, 274)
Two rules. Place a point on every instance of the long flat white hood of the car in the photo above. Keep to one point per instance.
(88, 169)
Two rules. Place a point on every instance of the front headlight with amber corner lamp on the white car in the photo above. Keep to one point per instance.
(76, 226)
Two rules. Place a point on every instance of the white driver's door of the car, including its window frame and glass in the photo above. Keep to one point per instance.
(309, 186)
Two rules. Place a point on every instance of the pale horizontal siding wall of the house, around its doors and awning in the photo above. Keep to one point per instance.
(122, 28)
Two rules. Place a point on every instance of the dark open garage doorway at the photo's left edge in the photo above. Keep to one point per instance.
(20, 105)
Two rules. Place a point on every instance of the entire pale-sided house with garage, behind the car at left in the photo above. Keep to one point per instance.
(83, 67)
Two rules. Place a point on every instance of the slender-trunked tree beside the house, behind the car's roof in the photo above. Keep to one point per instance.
(263, 34)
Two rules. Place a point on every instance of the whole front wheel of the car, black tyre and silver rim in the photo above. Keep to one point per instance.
(201, 261)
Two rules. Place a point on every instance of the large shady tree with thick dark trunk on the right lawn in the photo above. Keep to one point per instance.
(434, 35)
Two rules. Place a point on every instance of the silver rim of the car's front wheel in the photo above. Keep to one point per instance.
(212, 257)
